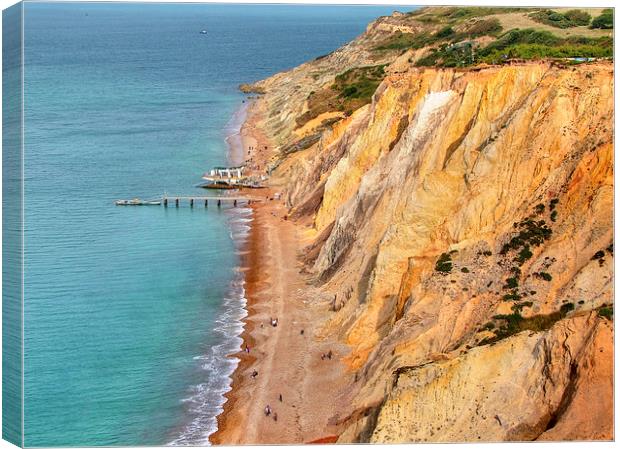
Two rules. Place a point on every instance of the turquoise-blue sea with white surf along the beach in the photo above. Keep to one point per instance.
(129, 311)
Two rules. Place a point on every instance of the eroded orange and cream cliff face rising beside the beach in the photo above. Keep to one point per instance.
(463, 220)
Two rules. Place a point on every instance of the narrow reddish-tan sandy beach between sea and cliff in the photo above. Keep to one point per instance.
(287, 357)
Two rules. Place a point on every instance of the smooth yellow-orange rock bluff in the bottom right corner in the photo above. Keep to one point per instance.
(531, 386)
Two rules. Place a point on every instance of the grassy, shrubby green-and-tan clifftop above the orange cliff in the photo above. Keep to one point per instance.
(451, 33)
